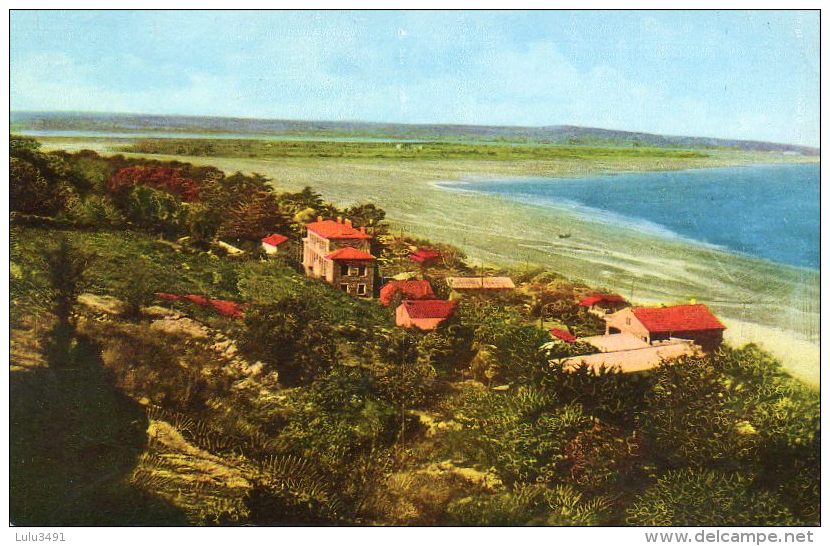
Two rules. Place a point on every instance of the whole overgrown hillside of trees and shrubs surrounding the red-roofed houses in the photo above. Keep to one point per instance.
(314, 409)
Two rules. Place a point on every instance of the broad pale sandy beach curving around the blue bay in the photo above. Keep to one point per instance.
(782, 302)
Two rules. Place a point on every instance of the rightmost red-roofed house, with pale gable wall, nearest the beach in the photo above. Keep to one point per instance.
(695, 323)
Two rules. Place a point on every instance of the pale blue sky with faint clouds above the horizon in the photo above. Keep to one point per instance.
(731, 74)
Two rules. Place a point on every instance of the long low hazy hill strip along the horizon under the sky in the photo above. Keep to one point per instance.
(554, 134)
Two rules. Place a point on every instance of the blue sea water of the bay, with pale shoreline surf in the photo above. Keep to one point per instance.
(768, 211)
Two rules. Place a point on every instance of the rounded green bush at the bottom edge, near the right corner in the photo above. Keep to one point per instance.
(705, 498)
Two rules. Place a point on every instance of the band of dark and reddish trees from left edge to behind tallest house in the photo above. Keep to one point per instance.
(171, 199)
